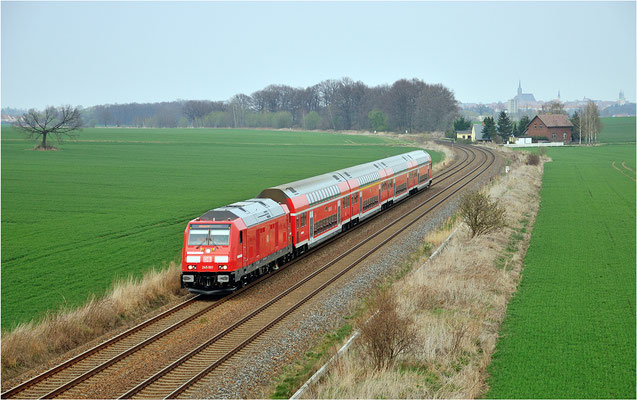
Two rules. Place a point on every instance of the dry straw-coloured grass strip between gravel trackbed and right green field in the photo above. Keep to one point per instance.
(457, 303)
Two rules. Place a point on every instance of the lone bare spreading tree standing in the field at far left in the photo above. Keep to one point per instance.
(60, 122)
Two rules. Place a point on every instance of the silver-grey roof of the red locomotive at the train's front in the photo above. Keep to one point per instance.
(252, 211)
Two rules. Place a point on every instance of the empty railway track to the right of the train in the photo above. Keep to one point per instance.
(180, 377)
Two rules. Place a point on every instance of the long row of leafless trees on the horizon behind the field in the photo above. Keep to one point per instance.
(343, 104)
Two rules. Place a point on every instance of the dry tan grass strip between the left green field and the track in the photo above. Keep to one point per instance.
(34, 343)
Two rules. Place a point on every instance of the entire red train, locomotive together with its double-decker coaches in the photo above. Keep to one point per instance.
(227, 247)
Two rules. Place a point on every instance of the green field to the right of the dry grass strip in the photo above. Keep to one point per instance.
(570, 330)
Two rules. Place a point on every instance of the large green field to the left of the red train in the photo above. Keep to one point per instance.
(116, 202)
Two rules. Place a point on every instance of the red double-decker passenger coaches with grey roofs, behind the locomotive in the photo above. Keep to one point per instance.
(325, 205)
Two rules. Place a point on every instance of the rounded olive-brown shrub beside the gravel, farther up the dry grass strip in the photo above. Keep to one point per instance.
(481, 213)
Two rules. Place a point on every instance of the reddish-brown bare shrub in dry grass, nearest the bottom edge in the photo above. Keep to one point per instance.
(387, 334)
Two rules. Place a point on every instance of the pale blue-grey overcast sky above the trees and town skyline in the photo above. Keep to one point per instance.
(87, 53)
